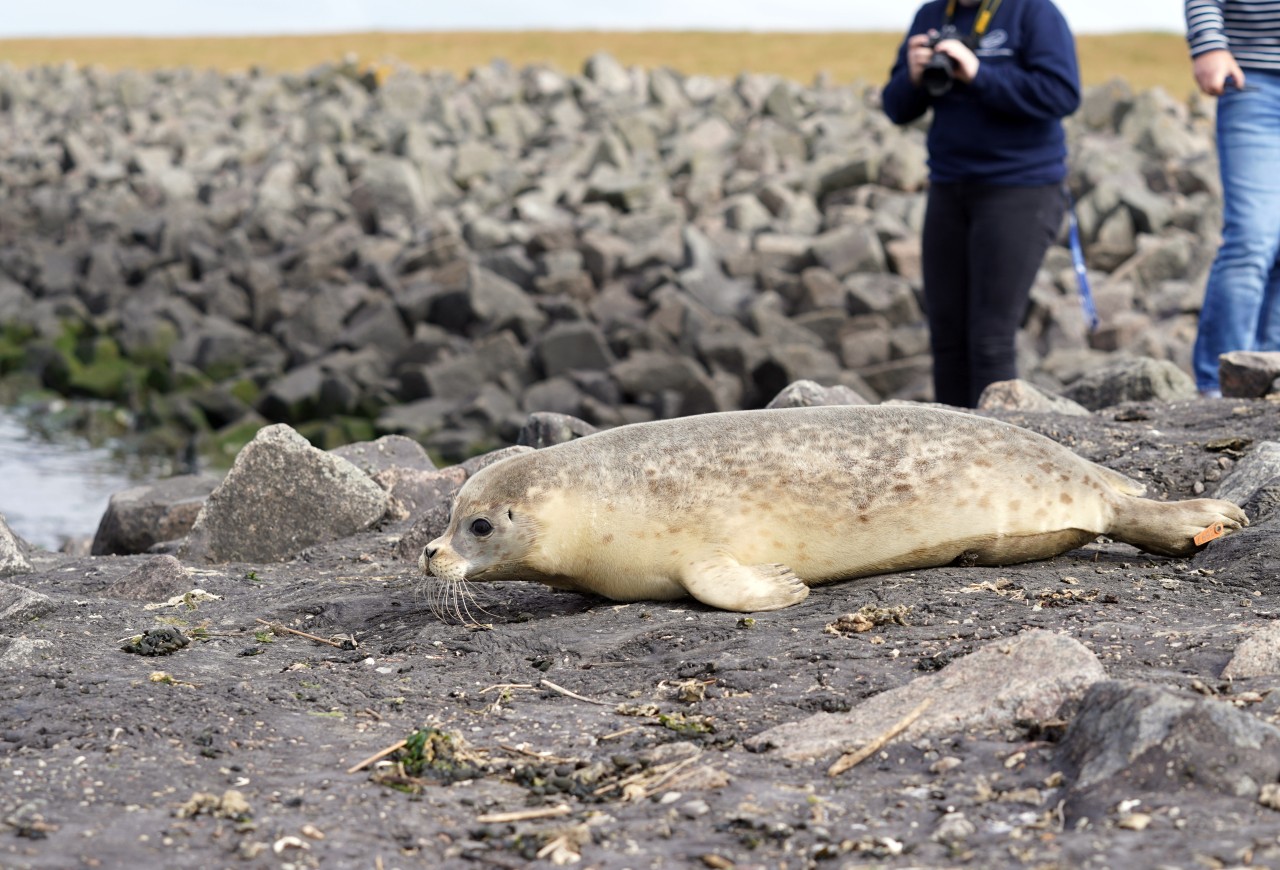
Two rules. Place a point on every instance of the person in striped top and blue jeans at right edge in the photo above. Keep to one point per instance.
(1236, 57)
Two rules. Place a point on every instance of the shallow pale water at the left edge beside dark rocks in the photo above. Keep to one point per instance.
(56, 488)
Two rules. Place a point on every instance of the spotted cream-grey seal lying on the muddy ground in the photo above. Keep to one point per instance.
(747, 510)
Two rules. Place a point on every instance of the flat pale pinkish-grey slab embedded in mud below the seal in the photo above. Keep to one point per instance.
(1011, 680)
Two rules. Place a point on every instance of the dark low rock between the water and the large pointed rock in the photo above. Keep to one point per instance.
(140, 518)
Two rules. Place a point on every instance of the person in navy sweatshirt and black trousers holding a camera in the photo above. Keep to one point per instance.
(999, 76)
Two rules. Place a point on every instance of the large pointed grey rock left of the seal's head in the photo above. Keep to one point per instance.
(281, 497)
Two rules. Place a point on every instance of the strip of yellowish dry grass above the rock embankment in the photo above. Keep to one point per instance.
(1144, 59)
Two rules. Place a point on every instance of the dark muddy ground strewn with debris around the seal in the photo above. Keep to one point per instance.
(102, 761)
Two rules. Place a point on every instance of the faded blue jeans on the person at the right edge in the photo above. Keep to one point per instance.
(1242, 299)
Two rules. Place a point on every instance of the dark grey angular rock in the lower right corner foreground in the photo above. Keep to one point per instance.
(1131, 739)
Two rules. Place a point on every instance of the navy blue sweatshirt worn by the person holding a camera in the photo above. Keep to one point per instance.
(1005, 127)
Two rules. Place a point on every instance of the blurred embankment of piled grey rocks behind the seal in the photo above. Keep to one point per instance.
(359, 254)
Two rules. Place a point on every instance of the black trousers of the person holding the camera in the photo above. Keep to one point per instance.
(982, 248)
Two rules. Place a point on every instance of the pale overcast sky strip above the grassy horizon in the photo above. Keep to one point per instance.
(264, 17)
